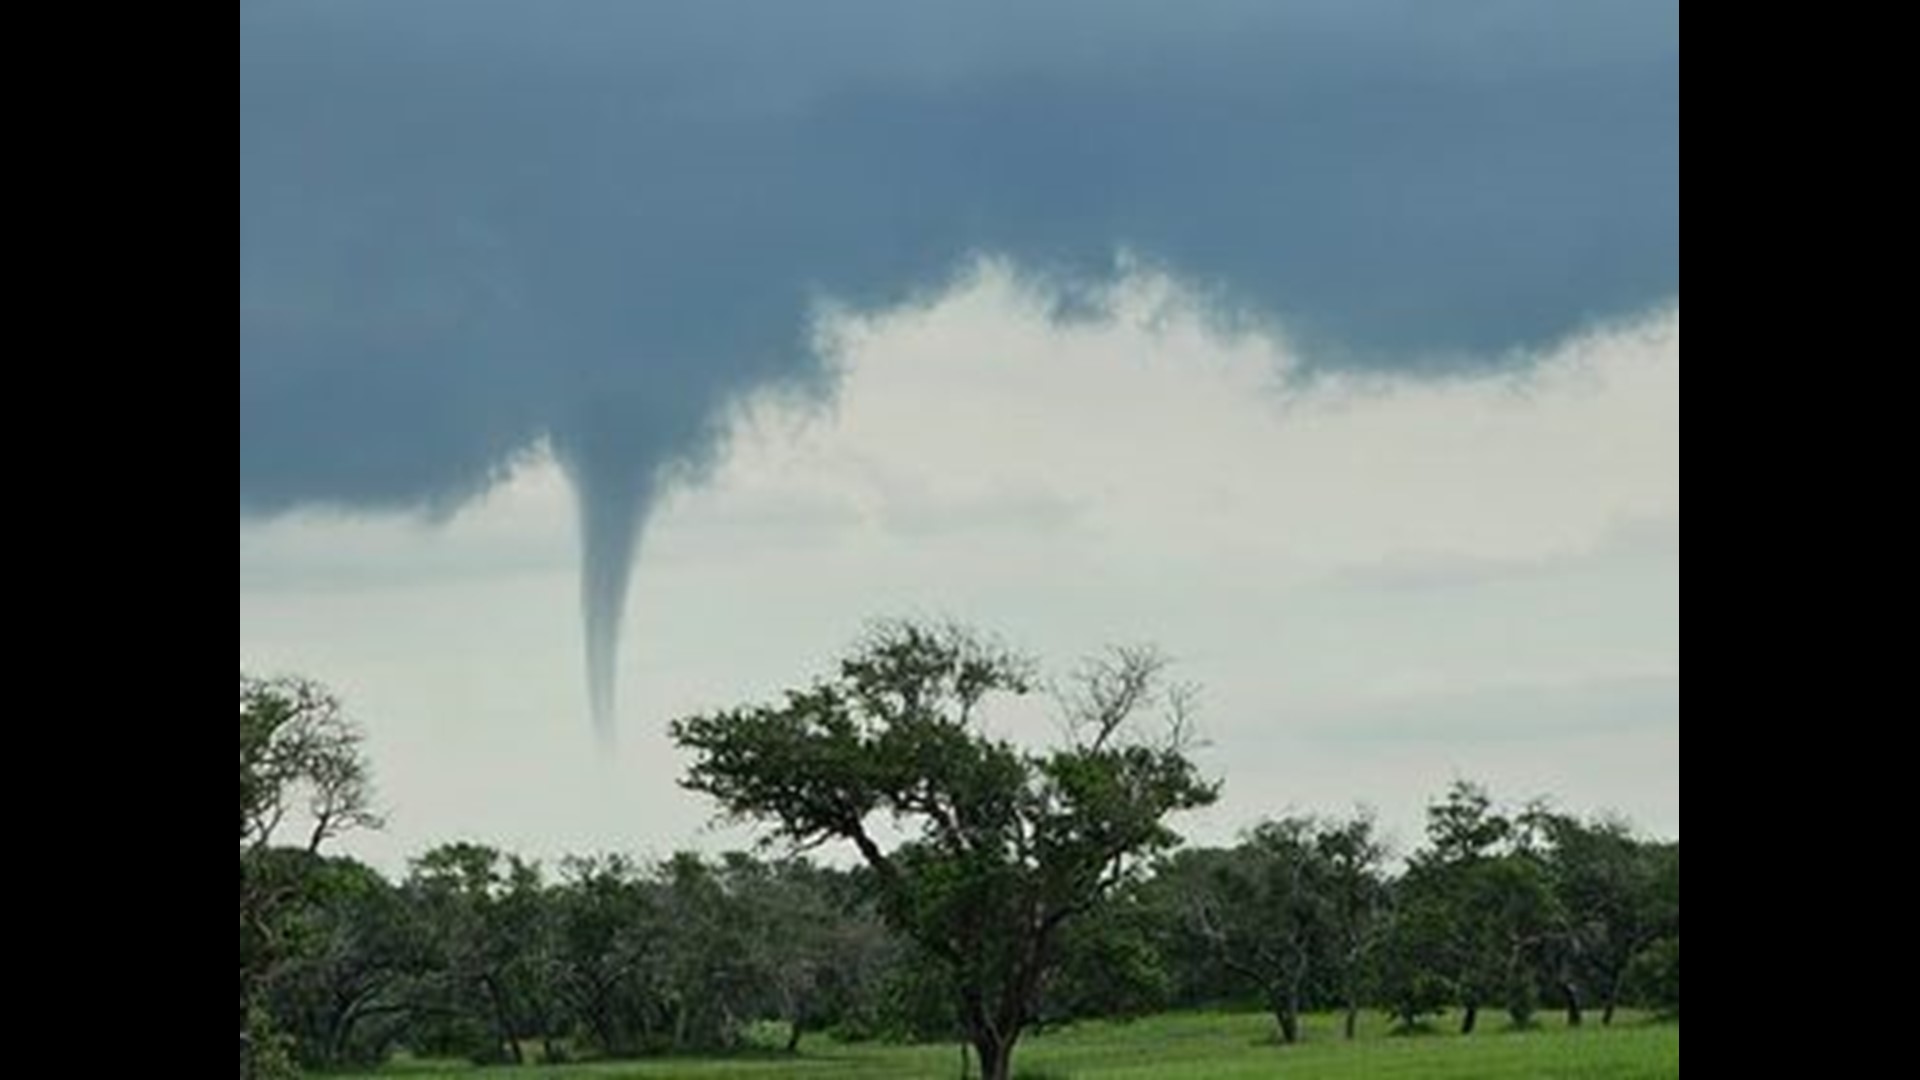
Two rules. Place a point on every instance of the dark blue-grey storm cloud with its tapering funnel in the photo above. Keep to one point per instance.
(475, 228)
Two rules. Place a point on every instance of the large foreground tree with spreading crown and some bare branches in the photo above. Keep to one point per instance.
(1003, 847)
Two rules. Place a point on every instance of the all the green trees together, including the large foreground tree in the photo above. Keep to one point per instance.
(1044, 885)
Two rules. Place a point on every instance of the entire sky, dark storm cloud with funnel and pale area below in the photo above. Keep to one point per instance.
(1333, 351)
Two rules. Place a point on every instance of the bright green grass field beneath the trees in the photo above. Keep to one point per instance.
(1188, 1046)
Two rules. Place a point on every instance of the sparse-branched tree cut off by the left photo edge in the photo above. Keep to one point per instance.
(299, 756)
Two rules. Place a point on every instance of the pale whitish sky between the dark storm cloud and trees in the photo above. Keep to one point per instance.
(1310, 552)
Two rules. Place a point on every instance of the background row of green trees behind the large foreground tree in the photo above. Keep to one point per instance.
(483, 954)
